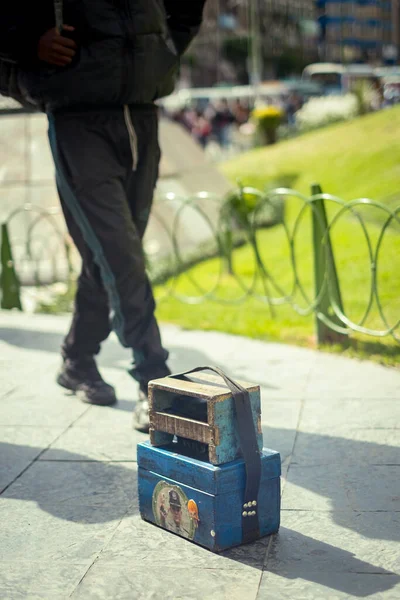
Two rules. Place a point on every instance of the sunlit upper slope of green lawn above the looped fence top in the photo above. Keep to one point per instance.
(351, 160)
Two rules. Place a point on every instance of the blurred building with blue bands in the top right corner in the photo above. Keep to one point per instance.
(359, 30)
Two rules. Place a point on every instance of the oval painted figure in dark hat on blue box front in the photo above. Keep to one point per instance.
(170, 509)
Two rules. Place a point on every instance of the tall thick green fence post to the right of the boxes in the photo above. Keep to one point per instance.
(325, 269)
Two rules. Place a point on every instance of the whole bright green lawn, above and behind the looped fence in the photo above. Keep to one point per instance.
(352, 160)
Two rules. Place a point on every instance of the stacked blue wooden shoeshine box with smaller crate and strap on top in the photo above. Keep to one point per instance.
(204, 475)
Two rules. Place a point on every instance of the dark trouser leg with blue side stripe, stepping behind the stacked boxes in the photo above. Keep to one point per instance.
(95, 153)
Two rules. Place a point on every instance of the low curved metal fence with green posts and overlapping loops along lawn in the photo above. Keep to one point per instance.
(189, 230)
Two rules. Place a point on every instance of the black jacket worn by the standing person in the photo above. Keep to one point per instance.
(128, 49)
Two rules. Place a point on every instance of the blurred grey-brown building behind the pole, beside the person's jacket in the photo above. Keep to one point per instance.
(221, 53)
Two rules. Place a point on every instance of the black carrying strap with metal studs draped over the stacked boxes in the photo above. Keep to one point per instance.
(250, 450)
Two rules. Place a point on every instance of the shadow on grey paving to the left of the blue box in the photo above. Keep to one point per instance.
(73, 487)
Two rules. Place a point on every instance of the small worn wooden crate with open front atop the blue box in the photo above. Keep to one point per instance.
(200, 410)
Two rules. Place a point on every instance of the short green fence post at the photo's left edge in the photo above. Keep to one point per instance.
(9, 283)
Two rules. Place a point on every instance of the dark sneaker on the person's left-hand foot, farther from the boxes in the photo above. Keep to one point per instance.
(83, 378)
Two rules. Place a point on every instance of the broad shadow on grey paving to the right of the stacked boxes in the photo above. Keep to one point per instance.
(357, 477)
